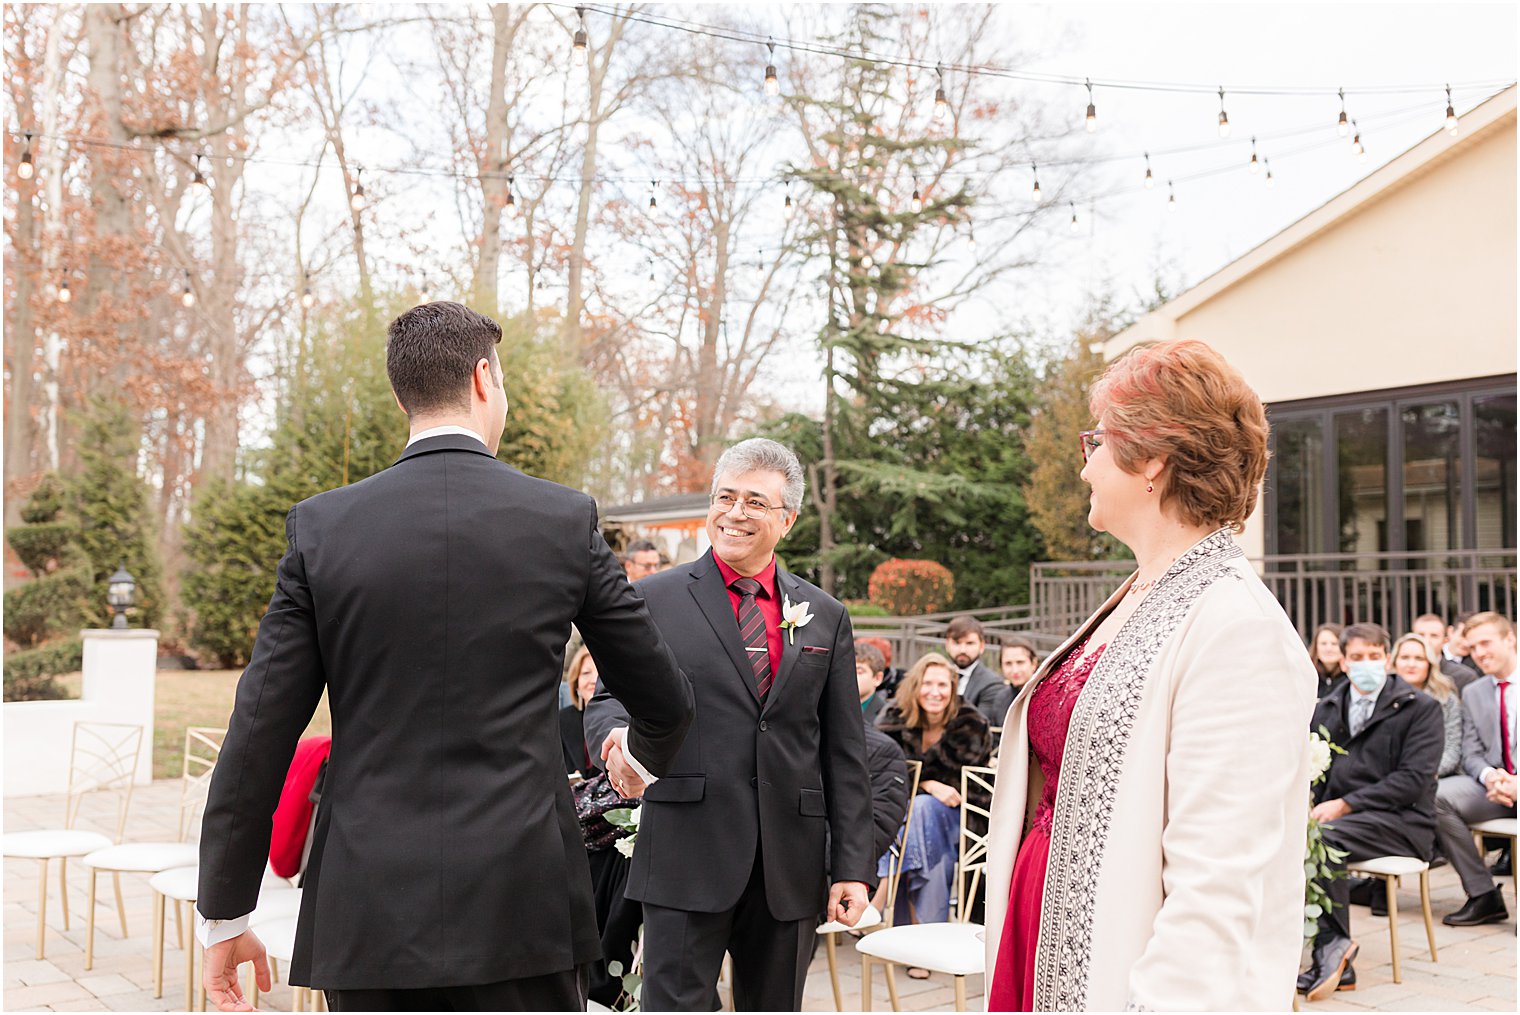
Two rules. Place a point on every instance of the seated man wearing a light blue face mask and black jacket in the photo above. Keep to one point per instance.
(1379, 797)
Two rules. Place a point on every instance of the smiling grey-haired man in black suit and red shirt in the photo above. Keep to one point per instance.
(770, 789)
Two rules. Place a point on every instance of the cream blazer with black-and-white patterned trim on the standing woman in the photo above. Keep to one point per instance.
(1177, 850)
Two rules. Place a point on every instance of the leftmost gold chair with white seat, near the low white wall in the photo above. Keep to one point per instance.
(103, 759)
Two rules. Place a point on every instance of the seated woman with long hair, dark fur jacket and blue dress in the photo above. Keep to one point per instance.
(933, 726)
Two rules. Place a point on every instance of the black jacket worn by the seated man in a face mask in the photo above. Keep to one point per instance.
(1389, 770)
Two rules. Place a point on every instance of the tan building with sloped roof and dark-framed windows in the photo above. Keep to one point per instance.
(1381, 332)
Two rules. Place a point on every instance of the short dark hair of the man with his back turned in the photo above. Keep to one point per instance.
(431, 355)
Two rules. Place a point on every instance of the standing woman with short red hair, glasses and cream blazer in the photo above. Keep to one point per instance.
(1148, 826)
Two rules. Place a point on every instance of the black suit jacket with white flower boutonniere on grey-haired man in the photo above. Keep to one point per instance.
(752, 777)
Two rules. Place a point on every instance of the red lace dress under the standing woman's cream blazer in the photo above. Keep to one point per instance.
(1050, 716)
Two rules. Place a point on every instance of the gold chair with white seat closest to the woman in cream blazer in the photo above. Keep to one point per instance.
(954, 947)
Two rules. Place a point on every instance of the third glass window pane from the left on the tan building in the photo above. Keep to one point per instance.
(1433, 476)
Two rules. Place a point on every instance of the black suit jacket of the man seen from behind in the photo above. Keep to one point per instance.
(434, 602)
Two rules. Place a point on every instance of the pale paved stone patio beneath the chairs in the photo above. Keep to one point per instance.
(1477, 969)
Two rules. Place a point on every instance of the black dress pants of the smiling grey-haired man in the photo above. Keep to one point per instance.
(685, 955)
